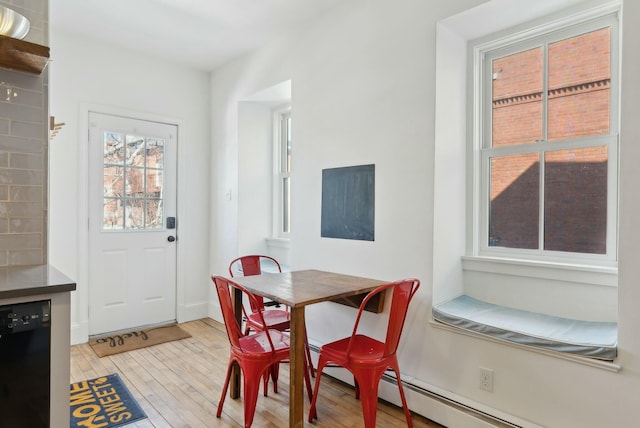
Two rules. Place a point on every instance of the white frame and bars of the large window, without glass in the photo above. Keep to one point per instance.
(484, 55)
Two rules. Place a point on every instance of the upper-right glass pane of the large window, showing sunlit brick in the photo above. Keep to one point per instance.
(579, 86)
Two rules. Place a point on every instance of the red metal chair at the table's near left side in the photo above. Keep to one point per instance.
(255, 354)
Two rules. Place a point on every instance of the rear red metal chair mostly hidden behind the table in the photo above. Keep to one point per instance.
(277, 319)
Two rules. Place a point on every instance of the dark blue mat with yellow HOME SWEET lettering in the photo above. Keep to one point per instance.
(103, 402)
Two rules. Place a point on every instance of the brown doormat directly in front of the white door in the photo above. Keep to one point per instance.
(114, 344)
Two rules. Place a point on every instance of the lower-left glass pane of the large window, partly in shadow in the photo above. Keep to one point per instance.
(514, 205)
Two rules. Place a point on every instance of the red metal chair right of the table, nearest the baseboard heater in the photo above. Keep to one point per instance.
(367, 358)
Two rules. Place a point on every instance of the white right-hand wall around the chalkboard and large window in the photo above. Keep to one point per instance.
(364, 91)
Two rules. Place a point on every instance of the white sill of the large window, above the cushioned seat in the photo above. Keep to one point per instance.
(584, 274)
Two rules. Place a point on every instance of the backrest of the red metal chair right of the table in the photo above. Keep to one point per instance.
(402, 293)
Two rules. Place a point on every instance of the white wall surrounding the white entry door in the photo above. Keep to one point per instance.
(88, 72)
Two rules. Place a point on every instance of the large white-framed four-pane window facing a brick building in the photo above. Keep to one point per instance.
(545, 143)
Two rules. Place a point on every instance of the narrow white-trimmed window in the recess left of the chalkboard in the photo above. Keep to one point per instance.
(282, 179)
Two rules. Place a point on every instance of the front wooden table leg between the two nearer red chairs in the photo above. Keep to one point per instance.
(296, 386)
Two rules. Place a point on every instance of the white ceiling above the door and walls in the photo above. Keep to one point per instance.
(202, 34)
